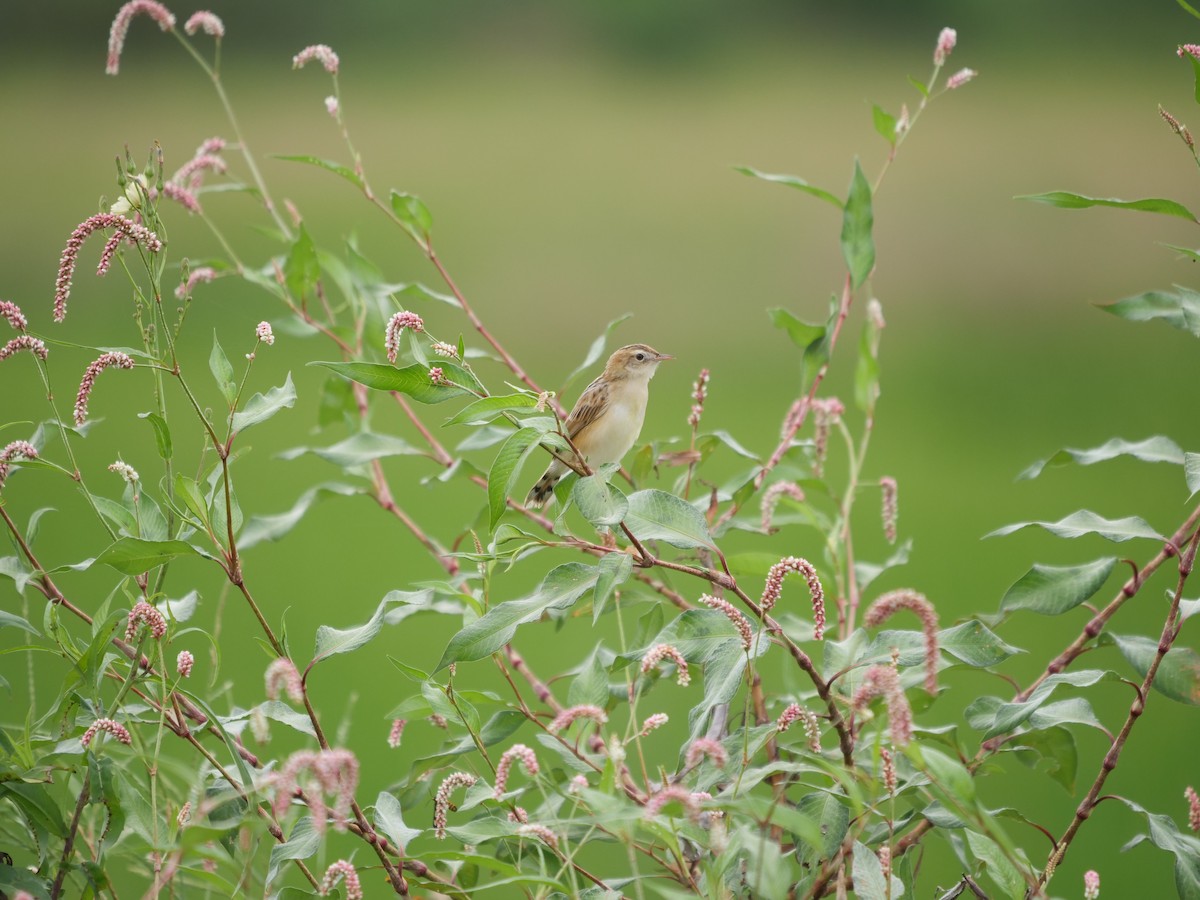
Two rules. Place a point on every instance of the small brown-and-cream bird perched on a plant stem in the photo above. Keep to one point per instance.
(608, 418)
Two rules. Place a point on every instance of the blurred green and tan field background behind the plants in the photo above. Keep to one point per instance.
(578, 160)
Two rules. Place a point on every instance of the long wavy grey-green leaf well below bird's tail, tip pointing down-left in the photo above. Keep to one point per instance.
(562, 587)
